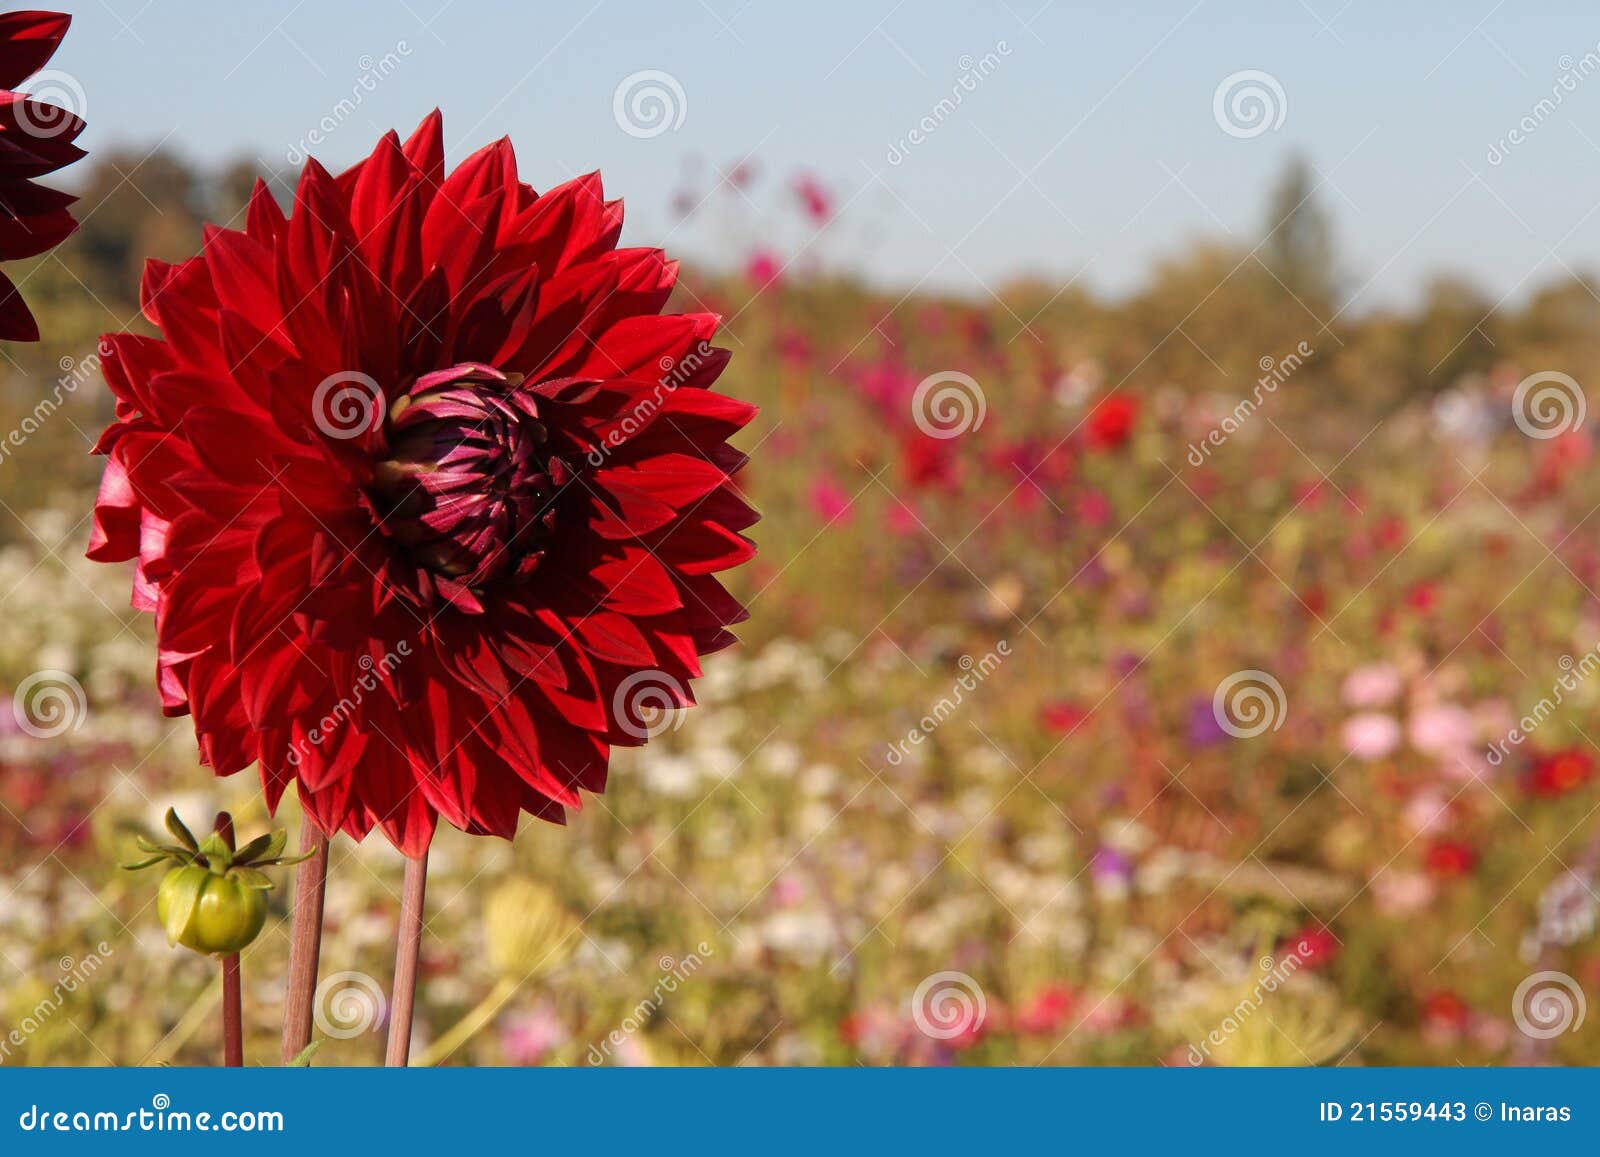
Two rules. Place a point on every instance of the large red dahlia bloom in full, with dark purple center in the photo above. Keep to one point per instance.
(425, 490)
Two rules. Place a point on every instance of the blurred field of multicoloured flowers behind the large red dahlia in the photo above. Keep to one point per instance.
(1086, 715)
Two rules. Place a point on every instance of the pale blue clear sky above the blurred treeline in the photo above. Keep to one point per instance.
(1089, 151)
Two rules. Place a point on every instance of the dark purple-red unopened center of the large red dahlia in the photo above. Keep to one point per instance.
(470, 484)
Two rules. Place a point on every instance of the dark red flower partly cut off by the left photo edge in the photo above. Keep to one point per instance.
(36, 140)
